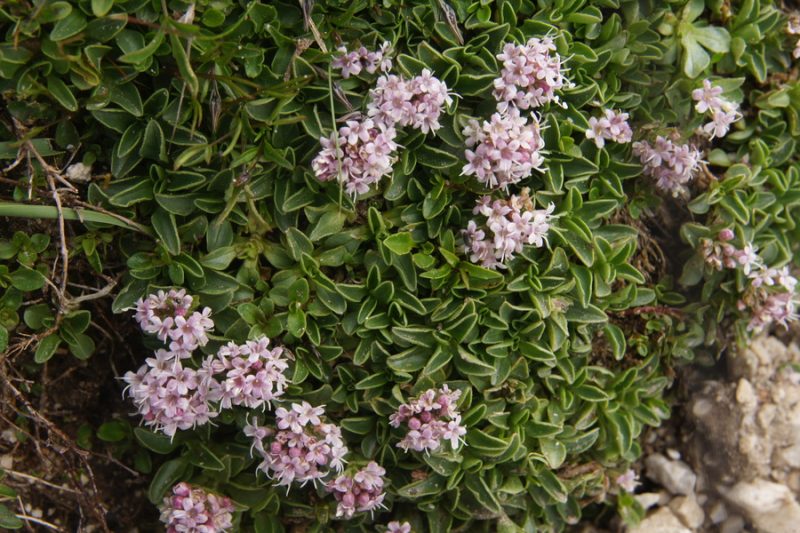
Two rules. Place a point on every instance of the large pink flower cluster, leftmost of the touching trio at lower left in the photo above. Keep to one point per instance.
(170, 396)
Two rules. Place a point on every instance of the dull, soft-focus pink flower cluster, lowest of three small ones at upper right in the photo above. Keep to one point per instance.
(671, 165)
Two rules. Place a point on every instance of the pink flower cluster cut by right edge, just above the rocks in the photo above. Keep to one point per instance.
(770, 298)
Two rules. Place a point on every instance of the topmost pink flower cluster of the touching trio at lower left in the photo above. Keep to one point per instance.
(165, 316)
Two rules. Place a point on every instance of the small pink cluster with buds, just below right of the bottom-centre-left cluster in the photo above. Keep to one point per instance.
(360, 492)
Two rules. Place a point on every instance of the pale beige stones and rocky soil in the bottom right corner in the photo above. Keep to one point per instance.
(732, 464)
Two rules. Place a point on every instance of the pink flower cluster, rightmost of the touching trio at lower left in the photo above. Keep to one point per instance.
(251, 374)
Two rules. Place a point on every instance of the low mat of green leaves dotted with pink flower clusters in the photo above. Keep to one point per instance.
(392, 264)
